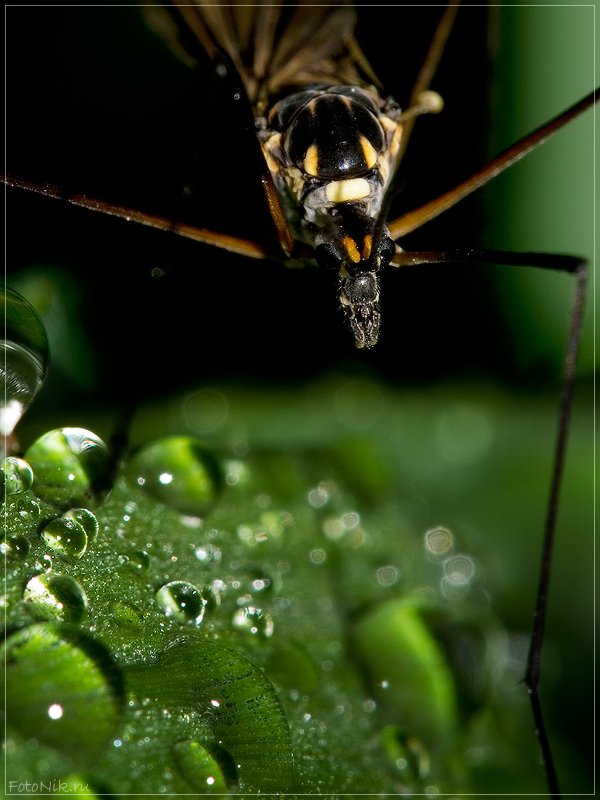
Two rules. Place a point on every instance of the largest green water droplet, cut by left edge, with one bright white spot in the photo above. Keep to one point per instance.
(63, 689)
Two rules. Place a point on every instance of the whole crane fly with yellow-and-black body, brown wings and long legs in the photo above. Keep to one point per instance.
(337, 208)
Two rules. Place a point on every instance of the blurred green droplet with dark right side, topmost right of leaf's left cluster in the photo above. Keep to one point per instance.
(179, 472)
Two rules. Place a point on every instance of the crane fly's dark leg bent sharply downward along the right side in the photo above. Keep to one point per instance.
(578, 267)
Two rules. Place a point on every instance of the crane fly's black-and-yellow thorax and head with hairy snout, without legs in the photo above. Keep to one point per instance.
(332, 151)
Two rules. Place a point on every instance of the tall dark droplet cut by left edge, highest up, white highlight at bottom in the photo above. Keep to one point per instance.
(23, 358)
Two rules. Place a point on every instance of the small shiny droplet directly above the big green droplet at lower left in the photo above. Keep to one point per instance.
(55, 596)
